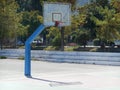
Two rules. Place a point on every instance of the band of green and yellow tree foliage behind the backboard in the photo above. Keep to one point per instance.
(99, 19)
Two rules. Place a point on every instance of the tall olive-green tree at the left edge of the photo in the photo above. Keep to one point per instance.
(10, 25)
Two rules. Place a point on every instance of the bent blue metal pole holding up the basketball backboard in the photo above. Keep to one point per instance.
(28, 49)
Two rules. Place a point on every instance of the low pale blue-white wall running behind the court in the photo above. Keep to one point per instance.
(99, 58)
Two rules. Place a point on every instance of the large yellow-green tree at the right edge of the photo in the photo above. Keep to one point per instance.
(108, 28)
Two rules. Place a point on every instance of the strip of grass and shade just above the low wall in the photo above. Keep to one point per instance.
(76, 48)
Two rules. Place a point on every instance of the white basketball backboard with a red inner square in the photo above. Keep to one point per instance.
(53, 12)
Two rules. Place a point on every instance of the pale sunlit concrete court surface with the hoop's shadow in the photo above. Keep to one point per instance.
(58, 76)
